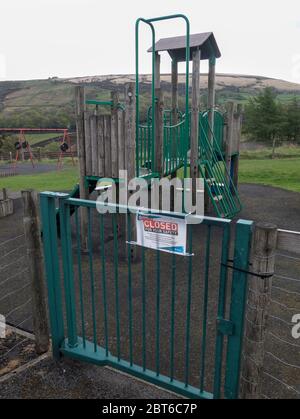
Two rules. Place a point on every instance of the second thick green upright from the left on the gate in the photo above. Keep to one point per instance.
(66, 247)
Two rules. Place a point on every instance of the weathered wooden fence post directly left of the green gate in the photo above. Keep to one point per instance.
(35, 262)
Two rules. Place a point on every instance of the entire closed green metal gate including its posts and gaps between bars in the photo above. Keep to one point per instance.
(174, 321)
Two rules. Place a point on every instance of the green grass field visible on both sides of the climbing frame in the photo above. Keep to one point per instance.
(283, 173)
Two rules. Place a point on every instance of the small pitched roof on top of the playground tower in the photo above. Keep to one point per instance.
(175, 46)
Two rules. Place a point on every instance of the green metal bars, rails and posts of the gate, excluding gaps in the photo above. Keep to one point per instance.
(79, 348)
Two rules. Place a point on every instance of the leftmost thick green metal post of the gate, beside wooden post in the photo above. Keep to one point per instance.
(48, 218)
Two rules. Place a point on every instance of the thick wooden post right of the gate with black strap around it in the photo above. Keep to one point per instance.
(263, 258)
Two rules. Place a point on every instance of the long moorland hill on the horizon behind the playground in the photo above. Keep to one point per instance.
(50, 103)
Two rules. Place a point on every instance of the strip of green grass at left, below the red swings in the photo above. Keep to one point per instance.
(53, 181)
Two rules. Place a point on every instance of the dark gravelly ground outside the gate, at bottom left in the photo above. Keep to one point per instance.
(74, 380)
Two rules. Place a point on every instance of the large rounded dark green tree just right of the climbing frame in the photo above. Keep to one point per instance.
(264, 118)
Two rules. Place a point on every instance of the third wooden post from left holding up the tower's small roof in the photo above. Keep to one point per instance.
(195, 119)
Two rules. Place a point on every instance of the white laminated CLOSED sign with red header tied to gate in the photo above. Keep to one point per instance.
(164, 233)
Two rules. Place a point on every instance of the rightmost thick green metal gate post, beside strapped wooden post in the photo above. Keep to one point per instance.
(237, 308)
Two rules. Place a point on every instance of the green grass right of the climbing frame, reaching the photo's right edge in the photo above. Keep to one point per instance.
(282, 173)
